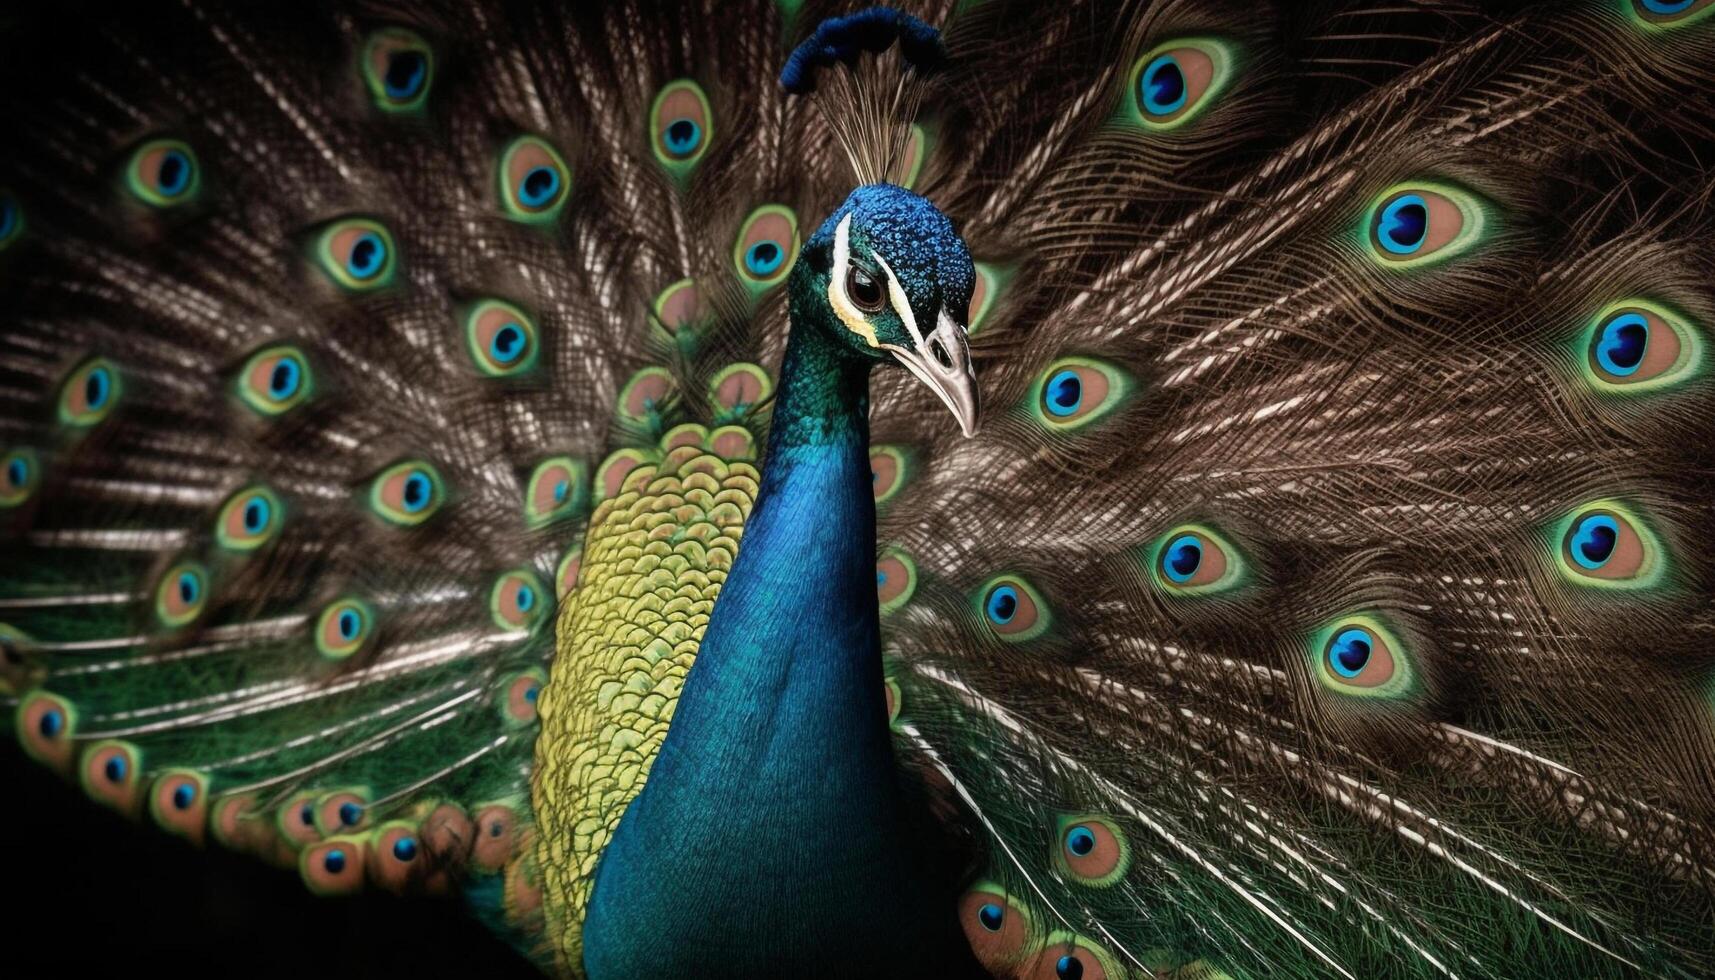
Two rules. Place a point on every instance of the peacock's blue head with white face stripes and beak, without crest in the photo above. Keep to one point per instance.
(891, 281)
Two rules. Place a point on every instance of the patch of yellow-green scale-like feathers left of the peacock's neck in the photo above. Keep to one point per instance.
(654, 562)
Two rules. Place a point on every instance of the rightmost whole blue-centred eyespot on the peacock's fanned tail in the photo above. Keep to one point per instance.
(1639, 346)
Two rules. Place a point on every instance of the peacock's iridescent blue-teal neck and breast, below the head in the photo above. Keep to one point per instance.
(771, 838)
